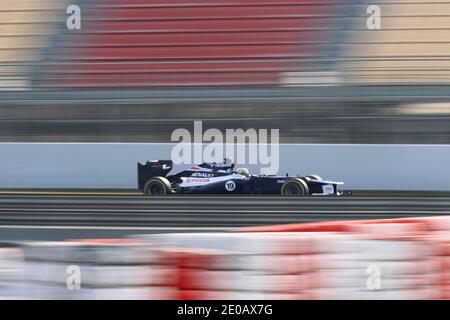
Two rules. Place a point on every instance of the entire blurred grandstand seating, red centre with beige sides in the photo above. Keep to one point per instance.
(134, 44)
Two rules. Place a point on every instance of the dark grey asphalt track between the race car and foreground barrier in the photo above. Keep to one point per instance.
(68, 216)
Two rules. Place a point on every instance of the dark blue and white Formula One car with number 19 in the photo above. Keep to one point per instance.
(221, 178)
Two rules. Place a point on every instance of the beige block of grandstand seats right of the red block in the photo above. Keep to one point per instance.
(412, 46)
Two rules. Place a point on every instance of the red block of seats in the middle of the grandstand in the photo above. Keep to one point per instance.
(148, 43)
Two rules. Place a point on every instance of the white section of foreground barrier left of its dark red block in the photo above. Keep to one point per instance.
(90, 269)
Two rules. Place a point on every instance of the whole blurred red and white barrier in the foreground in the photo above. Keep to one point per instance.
(372, 259)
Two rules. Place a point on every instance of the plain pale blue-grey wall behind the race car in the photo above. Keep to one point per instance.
(91, 165)
